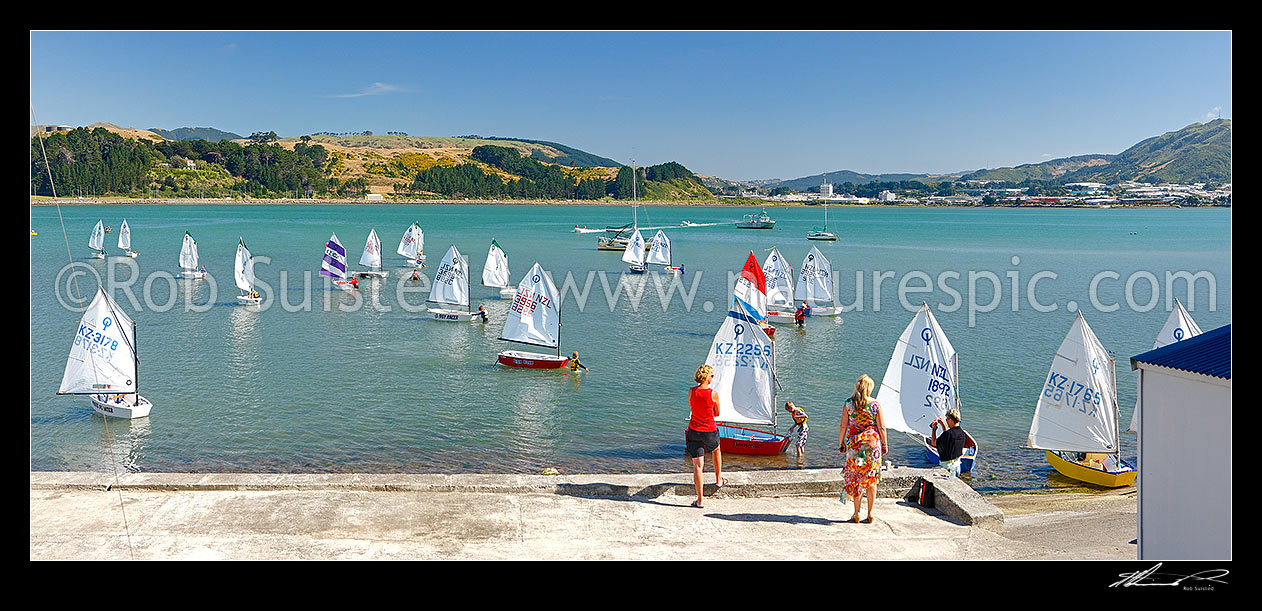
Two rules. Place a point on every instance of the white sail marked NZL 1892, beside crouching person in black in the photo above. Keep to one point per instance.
(921, 382)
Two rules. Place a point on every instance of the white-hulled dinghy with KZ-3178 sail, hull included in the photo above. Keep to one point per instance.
(103, 363)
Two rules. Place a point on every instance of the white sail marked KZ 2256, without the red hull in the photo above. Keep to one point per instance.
(743, 360)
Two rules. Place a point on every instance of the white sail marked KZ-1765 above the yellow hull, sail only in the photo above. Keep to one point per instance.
(1077, 410)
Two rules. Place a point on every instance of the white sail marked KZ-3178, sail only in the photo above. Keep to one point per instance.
(103, 358)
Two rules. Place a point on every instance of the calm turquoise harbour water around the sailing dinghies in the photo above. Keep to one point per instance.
(333, 388)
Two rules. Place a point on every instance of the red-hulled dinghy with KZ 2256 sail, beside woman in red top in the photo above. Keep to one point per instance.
(745, 378)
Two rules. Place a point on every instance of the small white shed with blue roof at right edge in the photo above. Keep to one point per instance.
(1184, 422)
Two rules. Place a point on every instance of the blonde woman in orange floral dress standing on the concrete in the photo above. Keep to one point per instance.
(865, 444)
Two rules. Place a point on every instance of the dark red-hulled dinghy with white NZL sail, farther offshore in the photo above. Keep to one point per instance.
(534, 320)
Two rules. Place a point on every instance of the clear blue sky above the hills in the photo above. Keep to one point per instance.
(740, 105)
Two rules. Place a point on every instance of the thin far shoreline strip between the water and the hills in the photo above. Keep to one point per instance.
(567, 203)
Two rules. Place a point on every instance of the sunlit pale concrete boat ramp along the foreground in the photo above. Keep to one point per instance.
(792, 514)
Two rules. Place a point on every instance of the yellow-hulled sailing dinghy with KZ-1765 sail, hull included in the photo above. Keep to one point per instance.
(1076, 418)
